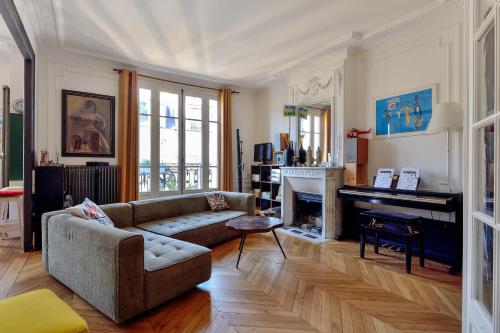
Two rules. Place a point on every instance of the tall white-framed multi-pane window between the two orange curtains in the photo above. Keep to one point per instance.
(178, 141)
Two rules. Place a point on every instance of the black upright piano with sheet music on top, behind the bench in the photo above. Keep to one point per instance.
(443, 239)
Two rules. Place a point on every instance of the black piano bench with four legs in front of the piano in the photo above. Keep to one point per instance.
(394, 225)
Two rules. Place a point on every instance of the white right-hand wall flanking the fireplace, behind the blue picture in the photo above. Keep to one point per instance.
(433, 55)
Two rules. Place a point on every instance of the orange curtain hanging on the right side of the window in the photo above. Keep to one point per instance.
(226, 171)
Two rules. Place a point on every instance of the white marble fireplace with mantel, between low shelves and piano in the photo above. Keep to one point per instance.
(310, 208)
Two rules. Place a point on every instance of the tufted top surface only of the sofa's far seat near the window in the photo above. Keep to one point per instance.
(176, 225)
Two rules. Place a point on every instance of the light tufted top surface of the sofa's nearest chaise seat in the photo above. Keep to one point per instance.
(161, 252)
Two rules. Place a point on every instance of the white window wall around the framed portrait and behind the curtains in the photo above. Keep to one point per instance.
(69, 71)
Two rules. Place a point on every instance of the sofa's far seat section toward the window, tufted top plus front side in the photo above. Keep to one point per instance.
(204, 228)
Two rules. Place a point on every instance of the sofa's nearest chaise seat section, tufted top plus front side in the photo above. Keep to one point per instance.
(172, 266)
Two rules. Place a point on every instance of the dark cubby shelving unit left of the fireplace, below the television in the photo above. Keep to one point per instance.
(261, 181)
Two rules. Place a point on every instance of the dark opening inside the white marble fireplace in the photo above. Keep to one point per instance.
(307, 215)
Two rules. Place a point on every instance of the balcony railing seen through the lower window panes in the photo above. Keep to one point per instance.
(169, 177)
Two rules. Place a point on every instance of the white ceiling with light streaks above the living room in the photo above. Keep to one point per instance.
(242, 41)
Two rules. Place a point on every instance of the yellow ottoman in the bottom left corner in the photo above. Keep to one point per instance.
(39, 311)
